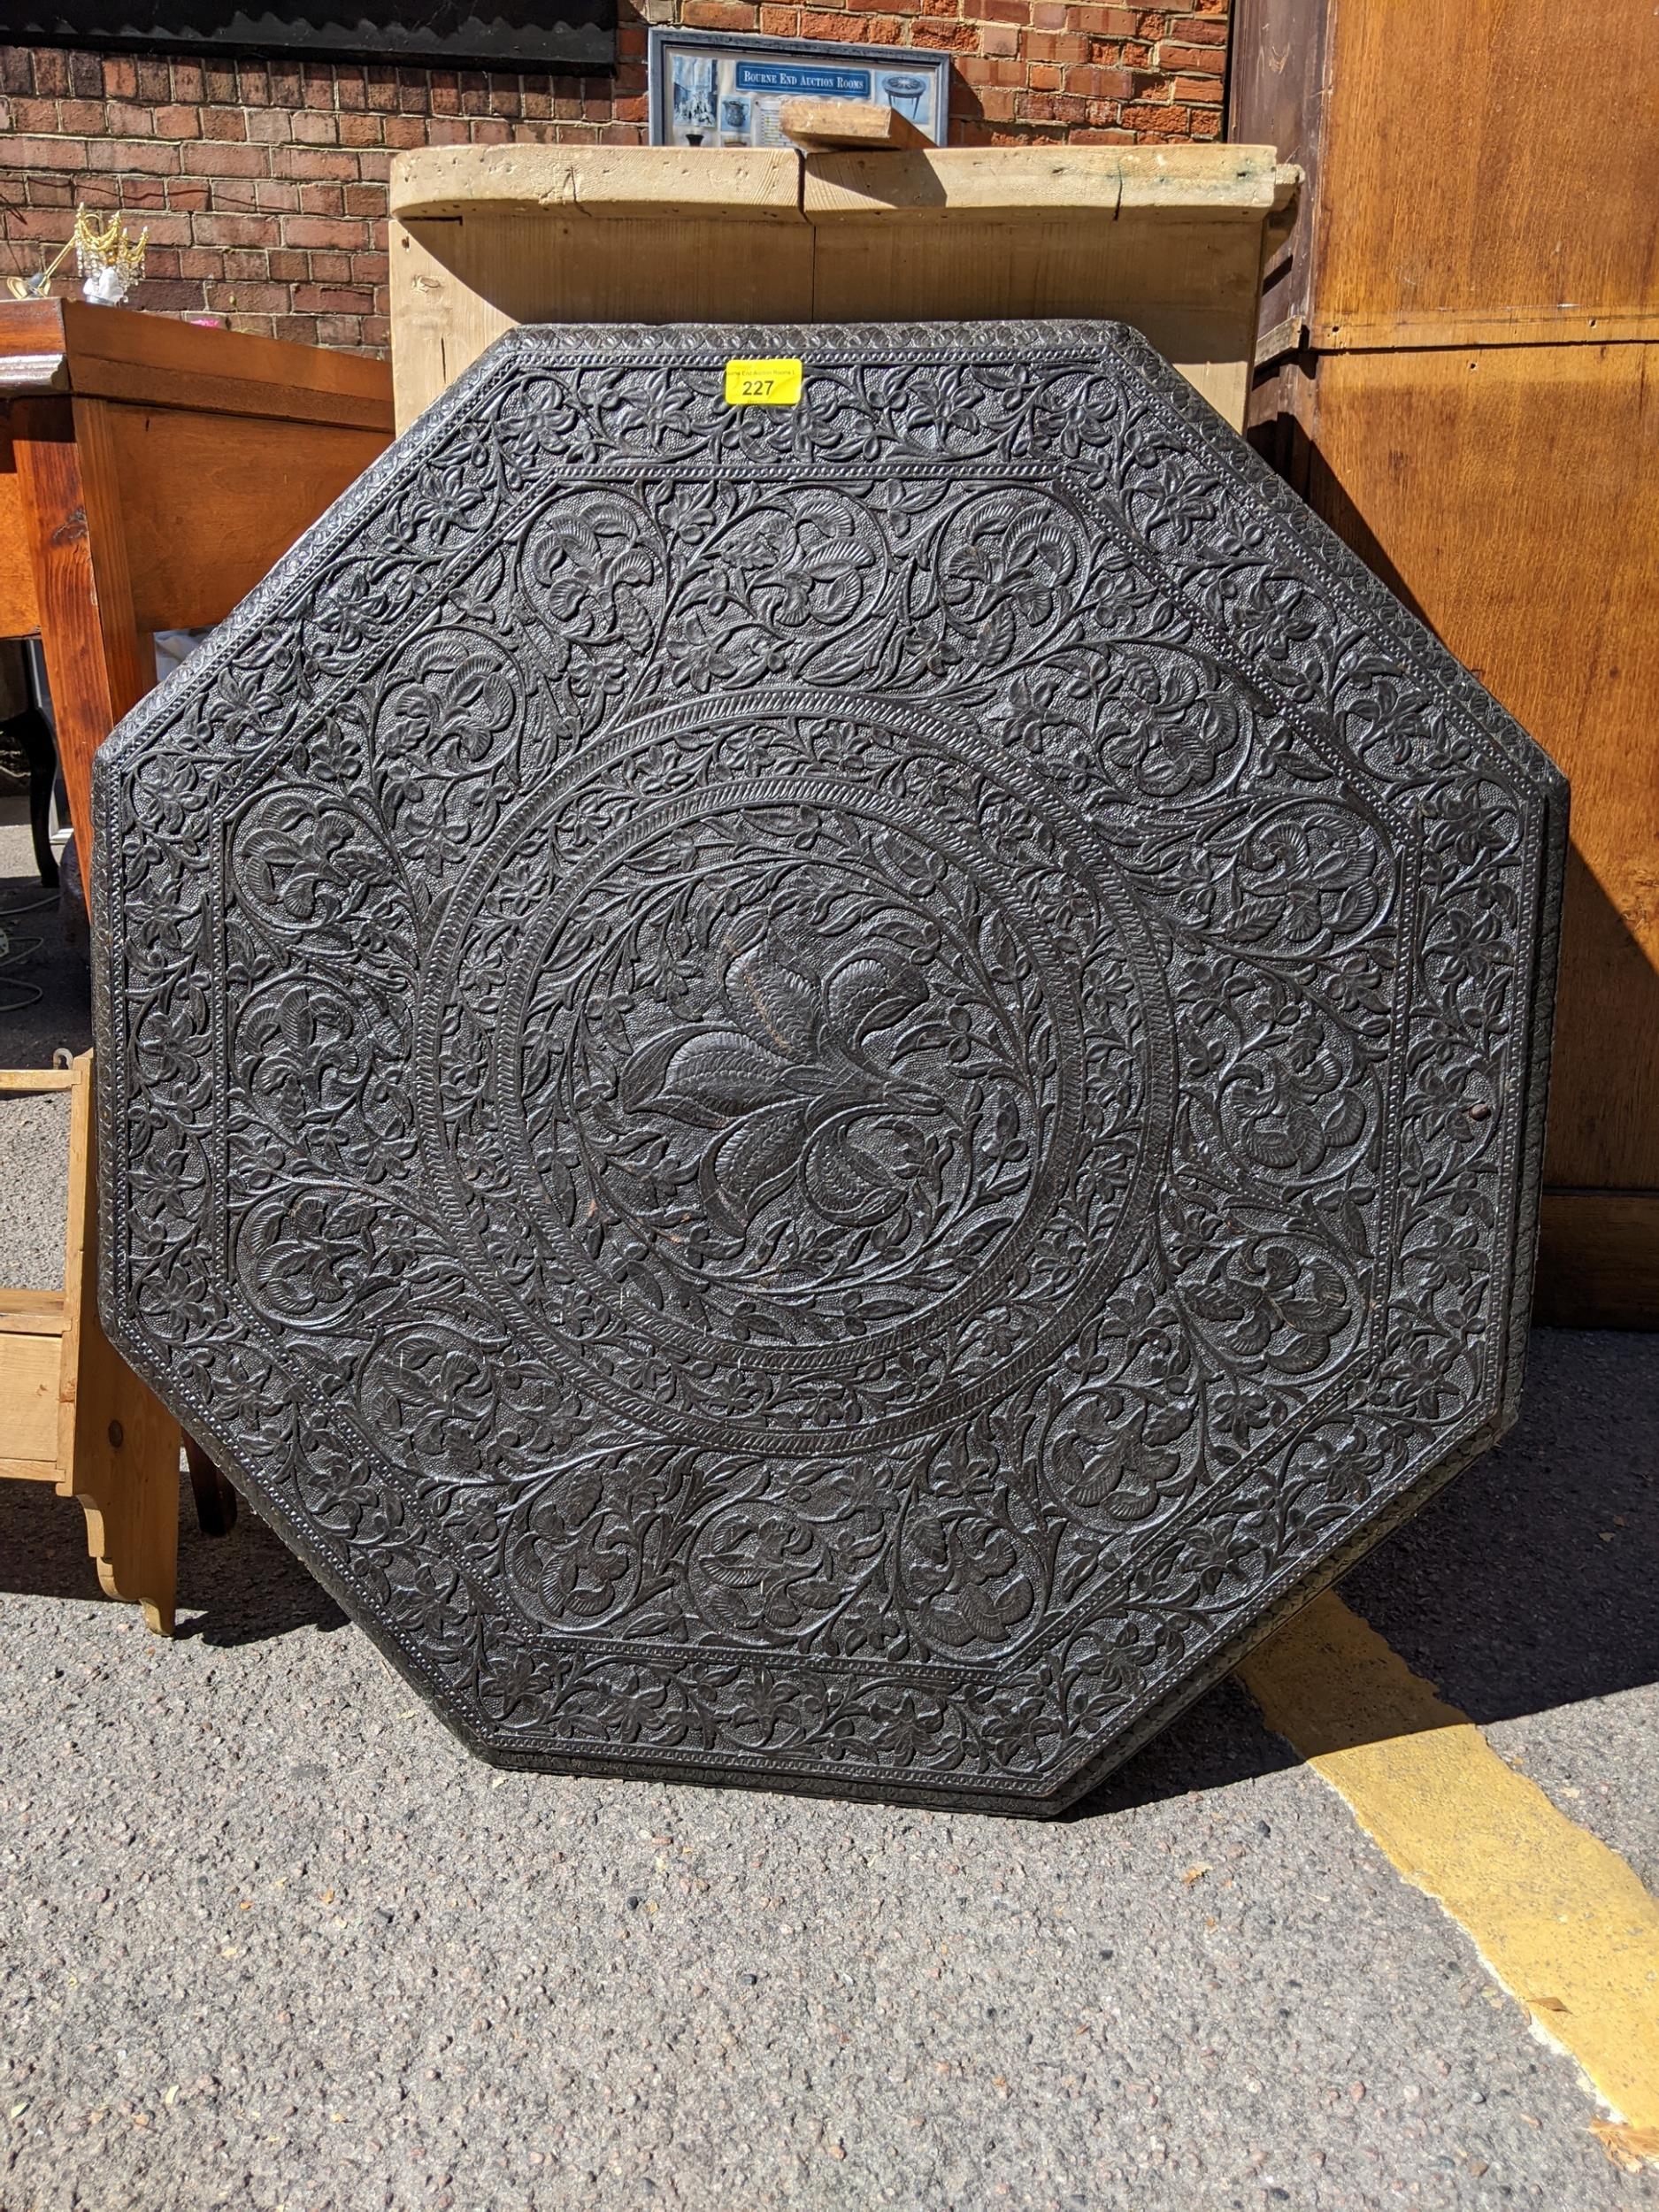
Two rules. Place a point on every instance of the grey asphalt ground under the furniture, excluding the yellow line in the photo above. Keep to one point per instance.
(271, 1939)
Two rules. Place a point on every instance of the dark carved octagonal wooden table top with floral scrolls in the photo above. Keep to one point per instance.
(824, 1096)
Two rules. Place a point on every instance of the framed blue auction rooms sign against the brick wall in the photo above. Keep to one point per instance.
(716, 90)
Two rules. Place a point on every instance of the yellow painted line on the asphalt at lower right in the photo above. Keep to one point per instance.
(1561, 1921)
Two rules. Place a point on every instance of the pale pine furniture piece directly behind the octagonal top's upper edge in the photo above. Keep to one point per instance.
(1167, 238)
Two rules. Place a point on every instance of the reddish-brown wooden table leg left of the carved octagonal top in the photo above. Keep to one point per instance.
(98, 662)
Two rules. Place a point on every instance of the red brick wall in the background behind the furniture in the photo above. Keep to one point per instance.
(264, 182)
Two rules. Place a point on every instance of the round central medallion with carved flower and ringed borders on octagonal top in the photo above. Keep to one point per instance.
(786, 1107)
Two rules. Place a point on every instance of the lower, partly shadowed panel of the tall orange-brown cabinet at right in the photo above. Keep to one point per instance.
(1503, 492)
